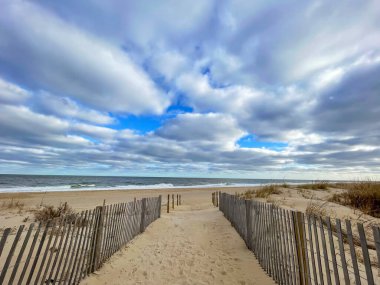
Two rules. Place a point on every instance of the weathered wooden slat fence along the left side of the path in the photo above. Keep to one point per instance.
(66, 250)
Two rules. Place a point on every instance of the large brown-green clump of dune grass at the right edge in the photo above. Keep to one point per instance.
(363, 195)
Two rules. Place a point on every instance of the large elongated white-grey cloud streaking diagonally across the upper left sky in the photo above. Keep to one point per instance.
(64, 60)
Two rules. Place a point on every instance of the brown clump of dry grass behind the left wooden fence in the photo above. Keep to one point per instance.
(49, 212)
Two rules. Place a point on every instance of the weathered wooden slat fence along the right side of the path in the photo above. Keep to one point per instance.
(295, 248)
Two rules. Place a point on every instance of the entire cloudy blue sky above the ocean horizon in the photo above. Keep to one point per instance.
(211, 88)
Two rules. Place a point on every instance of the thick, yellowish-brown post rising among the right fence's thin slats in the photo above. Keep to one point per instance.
(300, 243)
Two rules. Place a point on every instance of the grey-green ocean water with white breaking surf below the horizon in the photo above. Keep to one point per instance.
(48, 183)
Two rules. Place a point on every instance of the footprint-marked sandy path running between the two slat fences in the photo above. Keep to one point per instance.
(192, 245)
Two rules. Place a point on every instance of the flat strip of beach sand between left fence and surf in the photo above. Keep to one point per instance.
(84, 200)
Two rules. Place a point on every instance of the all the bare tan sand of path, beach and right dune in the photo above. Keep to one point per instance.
(192, 245)
